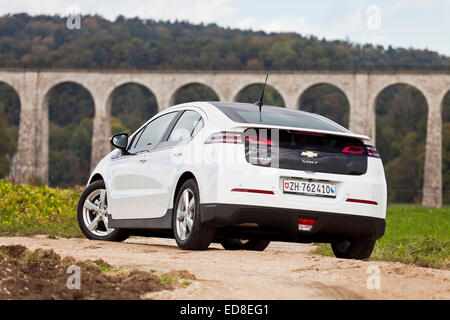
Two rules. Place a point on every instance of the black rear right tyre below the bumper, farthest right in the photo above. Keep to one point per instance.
(353, 249)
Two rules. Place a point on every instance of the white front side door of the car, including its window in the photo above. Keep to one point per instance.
(132, 184)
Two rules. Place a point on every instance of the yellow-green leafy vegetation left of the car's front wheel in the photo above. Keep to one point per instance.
(27, 210)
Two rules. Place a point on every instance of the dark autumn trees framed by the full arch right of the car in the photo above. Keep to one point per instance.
(401, 129)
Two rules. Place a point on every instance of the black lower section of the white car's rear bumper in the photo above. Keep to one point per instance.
(282, 224)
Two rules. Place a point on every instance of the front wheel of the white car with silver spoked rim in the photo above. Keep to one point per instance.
(89, 209)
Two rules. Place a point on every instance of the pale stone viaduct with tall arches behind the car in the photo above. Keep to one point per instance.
(361, 89)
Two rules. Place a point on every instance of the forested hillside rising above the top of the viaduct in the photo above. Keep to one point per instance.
(45, 41)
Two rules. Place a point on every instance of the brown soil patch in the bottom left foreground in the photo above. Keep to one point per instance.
(43, 274)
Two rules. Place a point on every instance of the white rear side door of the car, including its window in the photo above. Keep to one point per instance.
(165, 163)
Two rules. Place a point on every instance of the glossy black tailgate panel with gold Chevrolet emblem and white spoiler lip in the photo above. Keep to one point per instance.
(306, 150)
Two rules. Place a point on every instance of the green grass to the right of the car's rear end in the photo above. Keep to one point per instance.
(414, 235)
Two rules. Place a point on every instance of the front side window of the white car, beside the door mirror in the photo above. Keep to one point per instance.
(153, 132)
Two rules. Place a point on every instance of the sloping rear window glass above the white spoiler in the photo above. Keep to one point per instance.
(247, 113)
